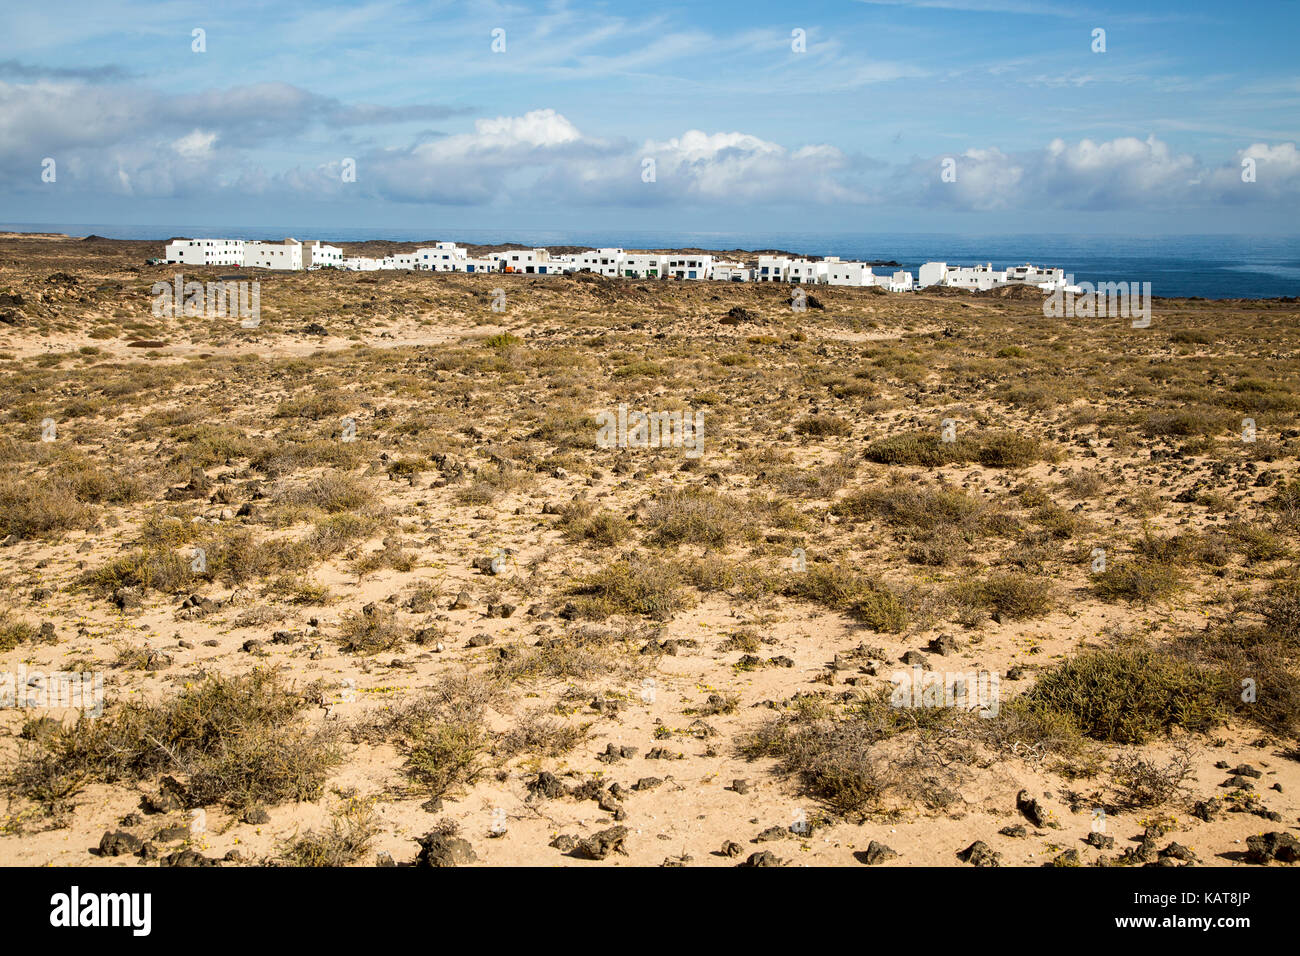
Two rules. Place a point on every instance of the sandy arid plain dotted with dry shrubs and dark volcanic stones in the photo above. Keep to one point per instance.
(363, 587)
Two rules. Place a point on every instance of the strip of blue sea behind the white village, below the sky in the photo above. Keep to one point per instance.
(1214, 267)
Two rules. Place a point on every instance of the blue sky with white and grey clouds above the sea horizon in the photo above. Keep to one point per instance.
(859, 116)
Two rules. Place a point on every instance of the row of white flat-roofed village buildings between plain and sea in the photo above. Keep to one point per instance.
(614, 263)
